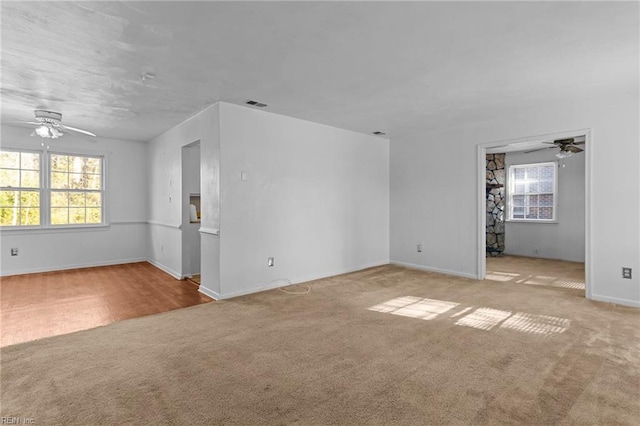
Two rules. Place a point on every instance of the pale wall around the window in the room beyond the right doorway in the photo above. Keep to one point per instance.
(565, 239)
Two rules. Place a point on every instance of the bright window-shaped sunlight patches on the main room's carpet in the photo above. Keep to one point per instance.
(483, 318)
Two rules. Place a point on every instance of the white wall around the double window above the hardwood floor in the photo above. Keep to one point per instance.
(124, 240)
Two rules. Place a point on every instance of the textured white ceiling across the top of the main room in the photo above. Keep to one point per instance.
(399, 67)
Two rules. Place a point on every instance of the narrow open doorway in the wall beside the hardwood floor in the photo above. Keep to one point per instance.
(191, 211)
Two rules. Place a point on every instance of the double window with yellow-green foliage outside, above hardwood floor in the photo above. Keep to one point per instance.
(66, 189)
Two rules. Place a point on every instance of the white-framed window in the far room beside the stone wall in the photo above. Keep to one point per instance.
(532, 192)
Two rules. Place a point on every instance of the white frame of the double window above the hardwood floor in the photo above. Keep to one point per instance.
(46, 191)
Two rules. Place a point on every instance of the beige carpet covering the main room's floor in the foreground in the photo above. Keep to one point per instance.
(383, 346)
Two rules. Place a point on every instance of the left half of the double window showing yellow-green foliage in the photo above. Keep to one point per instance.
(20, 188)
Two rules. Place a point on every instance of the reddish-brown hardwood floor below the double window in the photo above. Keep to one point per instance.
(52, 303)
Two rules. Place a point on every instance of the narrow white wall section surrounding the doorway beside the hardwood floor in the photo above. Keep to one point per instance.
(165, 194)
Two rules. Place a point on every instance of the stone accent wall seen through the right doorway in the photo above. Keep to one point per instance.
(496, 178)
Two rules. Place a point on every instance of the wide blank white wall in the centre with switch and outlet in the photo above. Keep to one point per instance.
(316, 198)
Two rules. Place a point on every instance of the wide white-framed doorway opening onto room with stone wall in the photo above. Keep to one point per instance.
(534, 212)
